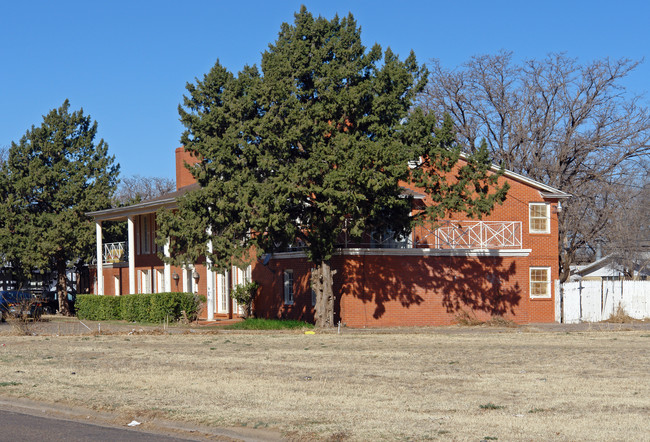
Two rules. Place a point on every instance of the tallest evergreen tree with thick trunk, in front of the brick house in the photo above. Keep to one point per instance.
(313, 146)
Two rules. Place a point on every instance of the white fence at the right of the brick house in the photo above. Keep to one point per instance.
(593, 301)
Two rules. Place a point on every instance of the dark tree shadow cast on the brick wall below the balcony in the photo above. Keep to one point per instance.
(478, 284)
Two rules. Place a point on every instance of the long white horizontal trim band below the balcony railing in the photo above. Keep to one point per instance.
(414, 252)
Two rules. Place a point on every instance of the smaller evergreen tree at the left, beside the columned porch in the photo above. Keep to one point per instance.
(52, 177)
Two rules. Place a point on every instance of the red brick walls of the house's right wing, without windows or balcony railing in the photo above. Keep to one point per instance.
(407, 287)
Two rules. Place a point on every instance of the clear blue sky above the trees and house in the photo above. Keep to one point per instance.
(127, 62)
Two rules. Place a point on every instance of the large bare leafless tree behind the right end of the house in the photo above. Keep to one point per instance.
(569, 125)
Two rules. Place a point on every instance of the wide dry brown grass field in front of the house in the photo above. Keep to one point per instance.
(452, 383)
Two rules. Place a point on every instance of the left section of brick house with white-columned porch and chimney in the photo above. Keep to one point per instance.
(133, 266)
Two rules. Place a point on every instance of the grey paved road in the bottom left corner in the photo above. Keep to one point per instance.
(24, 427)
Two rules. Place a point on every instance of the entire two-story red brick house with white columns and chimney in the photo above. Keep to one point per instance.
(502, 265)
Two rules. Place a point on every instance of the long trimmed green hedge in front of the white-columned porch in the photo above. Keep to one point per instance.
(153, 307)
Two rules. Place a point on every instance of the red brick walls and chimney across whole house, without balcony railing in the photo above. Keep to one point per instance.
(421, 285)
